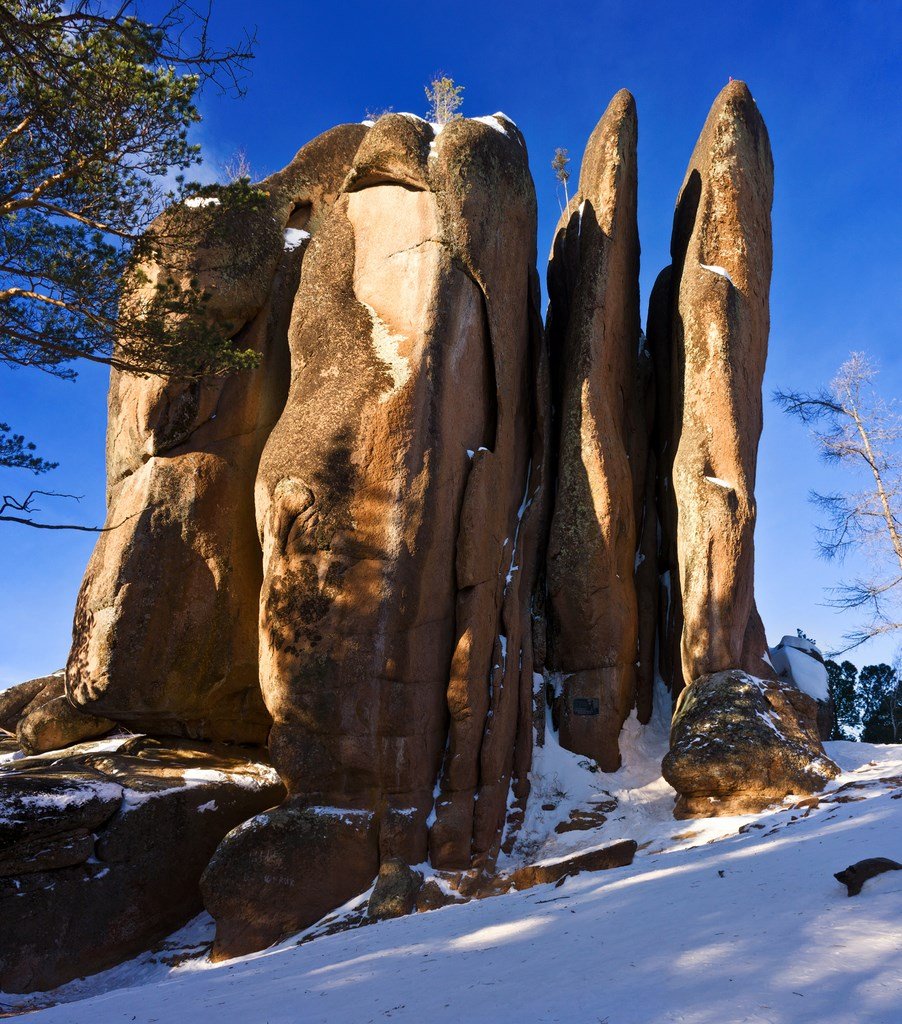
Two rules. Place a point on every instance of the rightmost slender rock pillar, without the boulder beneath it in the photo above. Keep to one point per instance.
(722, 255)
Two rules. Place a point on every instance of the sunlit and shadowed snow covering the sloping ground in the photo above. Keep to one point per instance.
(709, 926)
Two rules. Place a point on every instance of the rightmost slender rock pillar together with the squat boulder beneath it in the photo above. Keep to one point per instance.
(737, 741)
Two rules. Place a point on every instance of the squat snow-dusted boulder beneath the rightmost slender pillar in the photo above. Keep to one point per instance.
(740, 743)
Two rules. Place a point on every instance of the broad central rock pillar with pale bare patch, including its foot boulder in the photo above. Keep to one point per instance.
(400, 500)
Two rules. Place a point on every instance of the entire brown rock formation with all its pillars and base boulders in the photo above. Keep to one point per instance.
(359, 542)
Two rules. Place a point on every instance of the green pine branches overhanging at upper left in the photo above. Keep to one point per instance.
(96, 107)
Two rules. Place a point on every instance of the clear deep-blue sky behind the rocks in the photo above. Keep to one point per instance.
(827, 77)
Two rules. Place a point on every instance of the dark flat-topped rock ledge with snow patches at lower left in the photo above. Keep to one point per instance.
(102, 851)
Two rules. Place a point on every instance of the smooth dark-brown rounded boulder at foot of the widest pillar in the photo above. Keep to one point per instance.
(282, 871)
